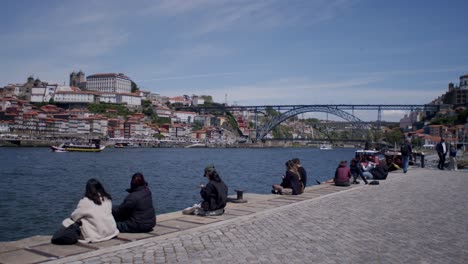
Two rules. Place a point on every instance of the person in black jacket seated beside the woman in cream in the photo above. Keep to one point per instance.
(136, 213)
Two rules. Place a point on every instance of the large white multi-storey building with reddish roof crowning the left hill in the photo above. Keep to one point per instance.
(109, 83)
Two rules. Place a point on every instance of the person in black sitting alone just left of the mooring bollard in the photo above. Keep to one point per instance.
(214, 195)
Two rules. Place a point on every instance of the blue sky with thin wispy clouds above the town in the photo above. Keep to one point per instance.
(245, 52)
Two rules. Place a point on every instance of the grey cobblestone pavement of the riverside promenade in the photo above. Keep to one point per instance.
(418, 217)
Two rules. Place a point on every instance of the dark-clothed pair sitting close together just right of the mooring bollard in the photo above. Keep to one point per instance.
(294, 181)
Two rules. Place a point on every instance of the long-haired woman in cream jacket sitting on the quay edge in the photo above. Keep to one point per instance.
(92, 219)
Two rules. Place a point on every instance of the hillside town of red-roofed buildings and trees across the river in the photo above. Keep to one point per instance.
(111, 106)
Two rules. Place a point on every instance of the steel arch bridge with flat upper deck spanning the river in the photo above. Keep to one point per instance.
(288, 111)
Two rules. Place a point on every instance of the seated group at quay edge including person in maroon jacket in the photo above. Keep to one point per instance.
(358, 169)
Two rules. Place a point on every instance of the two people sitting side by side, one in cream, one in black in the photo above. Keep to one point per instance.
(96, 220)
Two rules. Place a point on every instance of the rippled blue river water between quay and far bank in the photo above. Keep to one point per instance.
(40, 188)
